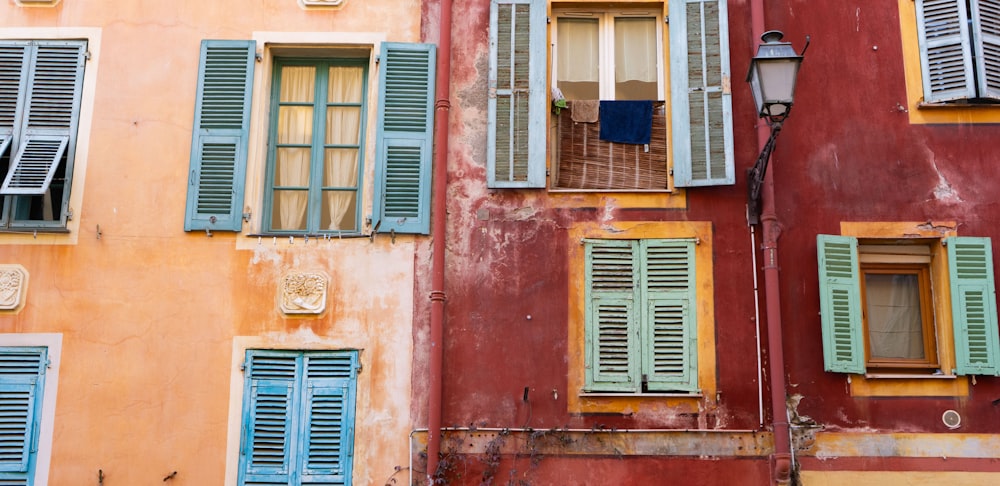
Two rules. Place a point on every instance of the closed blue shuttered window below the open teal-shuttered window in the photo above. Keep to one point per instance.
(298, 416)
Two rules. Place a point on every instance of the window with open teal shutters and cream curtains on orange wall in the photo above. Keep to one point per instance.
(317, 140)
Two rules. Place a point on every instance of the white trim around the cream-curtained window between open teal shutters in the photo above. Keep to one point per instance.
(255, 188)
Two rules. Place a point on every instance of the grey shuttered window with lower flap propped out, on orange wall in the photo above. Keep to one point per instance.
(57, 183)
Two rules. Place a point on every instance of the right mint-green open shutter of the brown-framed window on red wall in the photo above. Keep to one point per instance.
(974, 309)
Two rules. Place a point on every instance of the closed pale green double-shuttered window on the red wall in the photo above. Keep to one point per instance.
(641, 330)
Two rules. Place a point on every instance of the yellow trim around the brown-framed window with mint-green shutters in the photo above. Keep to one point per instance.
(896, 385)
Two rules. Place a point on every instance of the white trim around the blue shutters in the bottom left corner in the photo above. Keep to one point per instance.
(53, 342)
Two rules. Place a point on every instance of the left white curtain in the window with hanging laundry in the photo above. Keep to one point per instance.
(578, 50)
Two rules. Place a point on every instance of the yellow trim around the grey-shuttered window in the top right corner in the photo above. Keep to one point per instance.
(927, 114)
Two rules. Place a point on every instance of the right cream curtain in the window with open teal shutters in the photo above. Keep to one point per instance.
(343, 127)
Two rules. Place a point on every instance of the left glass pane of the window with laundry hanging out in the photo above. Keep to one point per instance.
(578, 68)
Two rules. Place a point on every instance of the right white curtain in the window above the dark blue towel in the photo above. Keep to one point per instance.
(635, 49)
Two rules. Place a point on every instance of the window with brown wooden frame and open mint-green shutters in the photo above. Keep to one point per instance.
(883, 305)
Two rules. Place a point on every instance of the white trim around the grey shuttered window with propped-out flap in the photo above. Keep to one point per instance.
(93, 37)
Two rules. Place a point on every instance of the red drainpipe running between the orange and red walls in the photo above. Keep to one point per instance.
(442, 109)
